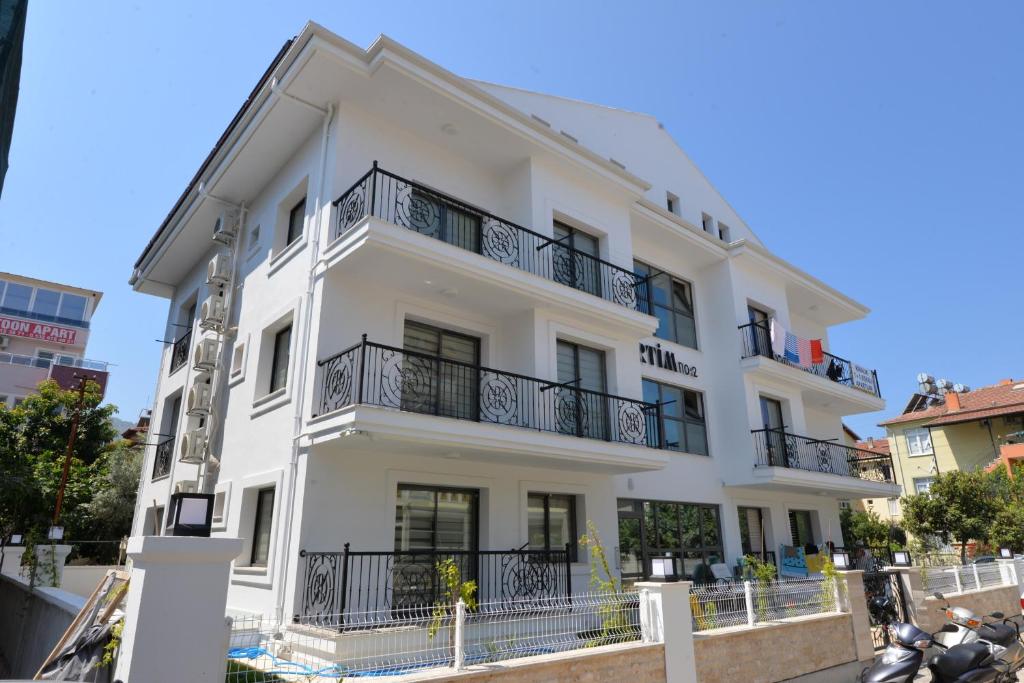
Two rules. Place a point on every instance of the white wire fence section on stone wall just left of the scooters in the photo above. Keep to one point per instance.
(753, 603)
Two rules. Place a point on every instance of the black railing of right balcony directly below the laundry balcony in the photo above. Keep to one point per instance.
(776, 448)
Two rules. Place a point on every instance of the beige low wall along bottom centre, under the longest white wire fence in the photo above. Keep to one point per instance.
(636, 663)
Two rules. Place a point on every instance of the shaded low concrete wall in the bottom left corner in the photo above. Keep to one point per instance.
(31, 624)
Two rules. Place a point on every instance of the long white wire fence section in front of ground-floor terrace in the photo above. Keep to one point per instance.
(402, 642)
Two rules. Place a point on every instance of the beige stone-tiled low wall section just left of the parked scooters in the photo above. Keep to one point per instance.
(776, 652)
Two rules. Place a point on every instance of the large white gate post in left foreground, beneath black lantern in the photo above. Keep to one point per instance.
(175, 615)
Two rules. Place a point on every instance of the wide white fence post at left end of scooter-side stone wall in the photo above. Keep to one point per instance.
(669, 621)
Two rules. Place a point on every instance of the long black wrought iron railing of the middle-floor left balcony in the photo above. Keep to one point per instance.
(373, 374)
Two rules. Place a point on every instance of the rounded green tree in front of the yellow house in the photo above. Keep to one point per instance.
(960, 506)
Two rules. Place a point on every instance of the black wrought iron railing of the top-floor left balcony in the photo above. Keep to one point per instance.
(444, 218)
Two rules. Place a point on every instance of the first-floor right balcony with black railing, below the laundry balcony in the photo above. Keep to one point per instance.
(782, 459)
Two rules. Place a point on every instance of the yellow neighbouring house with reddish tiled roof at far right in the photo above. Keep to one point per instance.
(956, 432)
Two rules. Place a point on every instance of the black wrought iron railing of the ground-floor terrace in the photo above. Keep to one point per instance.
(354, 587)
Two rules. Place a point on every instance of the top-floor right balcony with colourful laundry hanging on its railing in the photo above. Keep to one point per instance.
(835, 385)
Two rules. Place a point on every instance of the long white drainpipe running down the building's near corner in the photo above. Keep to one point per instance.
(304, 347)
